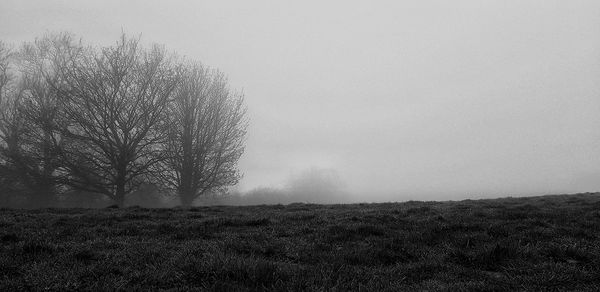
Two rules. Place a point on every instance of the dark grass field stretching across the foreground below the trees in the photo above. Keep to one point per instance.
(536, 243)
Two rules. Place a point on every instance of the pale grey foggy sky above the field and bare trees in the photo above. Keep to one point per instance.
(405, 99)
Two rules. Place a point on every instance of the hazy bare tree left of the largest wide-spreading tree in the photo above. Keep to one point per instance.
(28, 121)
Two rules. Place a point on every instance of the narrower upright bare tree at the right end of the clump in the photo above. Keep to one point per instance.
(207, 126)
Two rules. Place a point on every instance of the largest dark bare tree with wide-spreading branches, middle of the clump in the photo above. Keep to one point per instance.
(113, 101)
